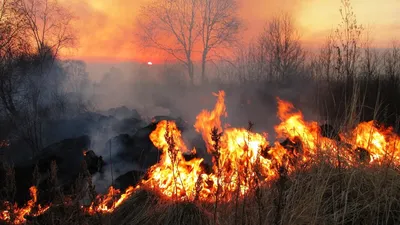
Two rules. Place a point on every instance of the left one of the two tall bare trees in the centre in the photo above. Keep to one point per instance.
(171, 26)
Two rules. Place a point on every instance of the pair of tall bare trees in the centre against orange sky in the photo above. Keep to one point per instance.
(188, 29)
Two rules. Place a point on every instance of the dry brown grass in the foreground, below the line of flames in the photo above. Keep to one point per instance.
(322, 195)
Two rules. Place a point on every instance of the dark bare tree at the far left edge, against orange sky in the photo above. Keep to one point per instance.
(29, 83)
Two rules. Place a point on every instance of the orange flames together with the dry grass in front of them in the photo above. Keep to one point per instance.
(306, 179)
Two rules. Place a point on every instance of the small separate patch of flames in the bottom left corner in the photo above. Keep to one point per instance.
(14, 214)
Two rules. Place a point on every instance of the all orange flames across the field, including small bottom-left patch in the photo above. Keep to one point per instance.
(242, 159)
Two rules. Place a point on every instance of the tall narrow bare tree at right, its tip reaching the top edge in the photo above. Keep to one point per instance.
(341, 65)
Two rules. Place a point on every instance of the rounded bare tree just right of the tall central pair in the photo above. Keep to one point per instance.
(275, 56)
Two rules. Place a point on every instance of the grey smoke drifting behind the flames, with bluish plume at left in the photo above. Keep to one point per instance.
(105, 101)
